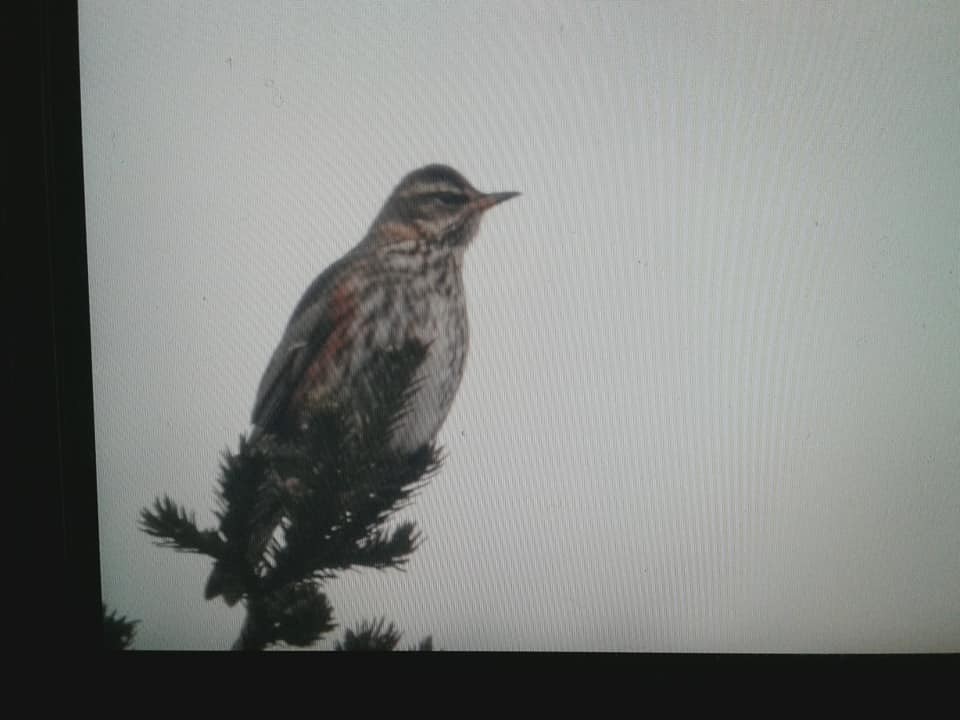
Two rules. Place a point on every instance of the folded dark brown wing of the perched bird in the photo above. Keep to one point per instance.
(314, 325)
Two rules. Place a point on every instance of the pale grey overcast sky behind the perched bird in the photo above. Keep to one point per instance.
(712, 400)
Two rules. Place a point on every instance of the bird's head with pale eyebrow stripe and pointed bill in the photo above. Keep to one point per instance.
(438, 204)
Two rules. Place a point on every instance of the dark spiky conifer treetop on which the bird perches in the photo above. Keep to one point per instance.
(296, 512)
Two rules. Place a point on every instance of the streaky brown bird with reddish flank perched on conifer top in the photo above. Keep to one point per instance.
(402, 283)
